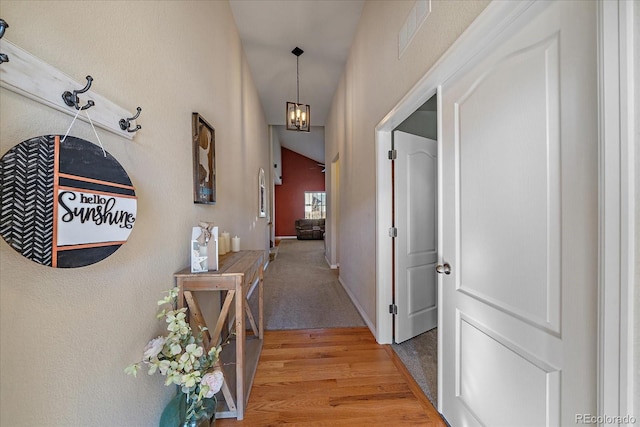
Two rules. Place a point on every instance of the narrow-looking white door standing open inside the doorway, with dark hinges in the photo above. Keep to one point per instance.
(416, 219)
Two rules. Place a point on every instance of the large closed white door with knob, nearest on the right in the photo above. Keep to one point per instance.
(519, 226)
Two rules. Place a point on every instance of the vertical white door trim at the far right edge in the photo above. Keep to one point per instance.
(616, 208)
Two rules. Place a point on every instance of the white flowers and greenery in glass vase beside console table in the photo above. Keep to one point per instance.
(181, 358)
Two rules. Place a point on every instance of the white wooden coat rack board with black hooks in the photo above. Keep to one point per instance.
(33, 78)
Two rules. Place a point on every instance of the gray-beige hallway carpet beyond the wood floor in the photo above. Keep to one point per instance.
(302, 292)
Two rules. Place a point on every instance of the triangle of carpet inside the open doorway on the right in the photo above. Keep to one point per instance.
(420, 356)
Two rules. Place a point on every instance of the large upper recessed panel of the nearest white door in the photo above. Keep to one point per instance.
(511, 184)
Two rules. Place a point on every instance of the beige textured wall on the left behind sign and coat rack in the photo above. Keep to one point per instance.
(67, 335)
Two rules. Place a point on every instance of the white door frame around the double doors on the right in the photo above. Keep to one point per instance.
(617, 127)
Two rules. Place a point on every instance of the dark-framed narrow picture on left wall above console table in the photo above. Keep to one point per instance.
(204, 161)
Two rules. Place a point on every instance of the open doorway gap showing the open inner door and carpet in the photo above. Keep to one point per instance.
(415, 221)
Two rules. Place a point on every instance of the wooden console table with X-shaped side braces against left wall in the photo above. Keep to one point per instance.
(237, 276)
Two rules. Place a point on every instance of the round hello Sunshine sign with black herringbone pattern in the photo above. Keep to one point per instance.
(64, 204)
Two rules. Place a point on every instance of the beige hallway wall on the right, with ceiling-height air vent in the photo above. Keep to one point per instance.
(372, 84)
